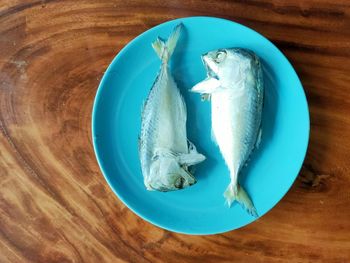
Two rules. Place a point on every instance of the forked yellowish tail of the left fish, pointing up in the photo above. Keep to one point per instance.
(165, 49)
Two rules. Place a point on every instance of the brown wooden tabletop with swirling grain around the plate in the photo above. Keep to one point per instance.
(55, 205)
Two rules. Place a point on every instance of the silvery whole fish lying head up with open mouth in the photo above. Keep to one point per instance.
(235, 87)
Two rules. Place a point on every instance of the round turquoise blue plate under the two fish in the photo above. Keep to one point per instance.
(199, 209)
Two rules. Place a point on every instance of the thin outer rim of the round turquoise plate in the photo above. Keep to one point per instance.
(94, 114)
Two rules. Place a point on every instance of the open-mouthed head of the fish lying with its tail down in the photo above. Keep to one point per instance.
(227, 65)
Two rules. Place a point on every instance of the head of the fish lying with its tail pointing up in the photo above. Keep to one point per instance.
(166, 174)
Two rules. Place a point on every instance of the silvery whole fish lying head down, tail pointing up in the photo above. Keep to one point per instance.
(165, 152)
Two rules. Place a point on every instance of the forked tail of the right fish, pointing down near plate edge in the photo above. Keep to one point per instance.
(237, 193)
